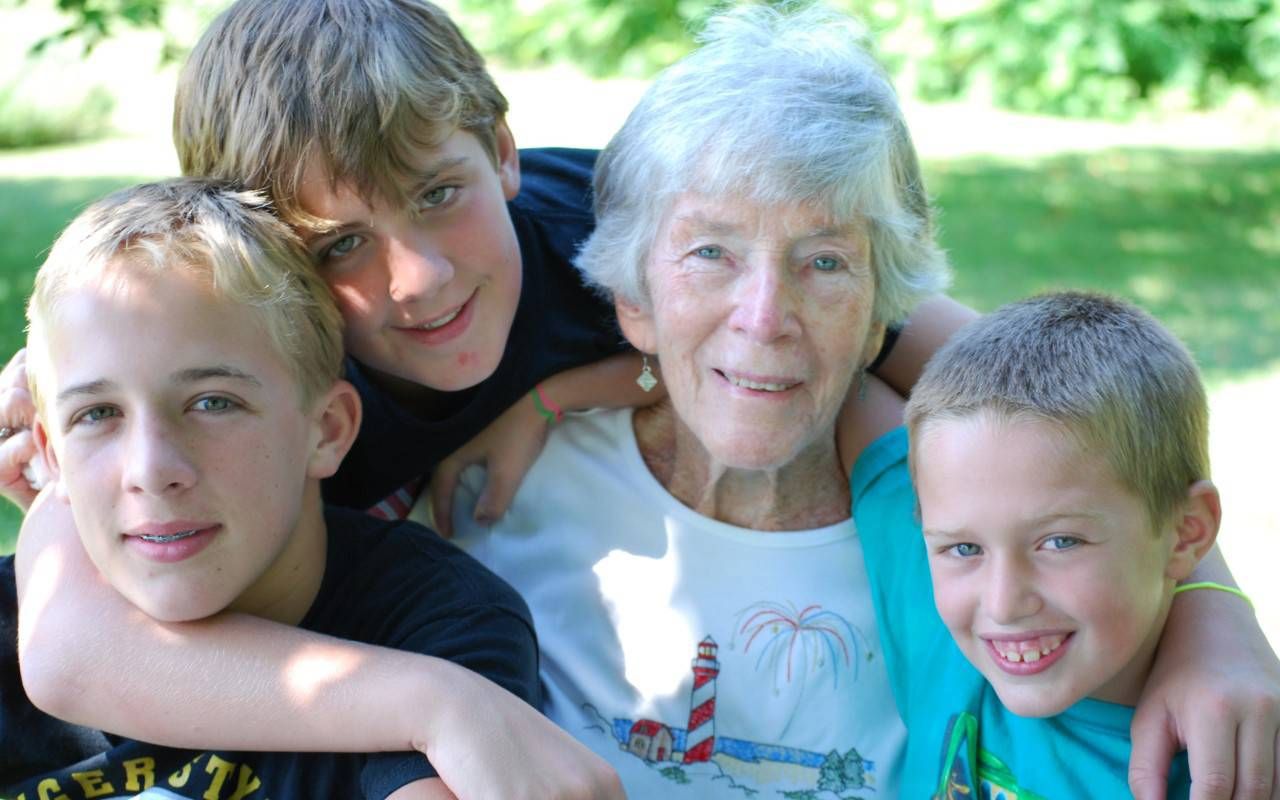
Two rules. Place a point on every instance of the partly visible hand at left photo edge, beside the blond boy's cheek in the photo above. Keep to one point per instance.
(22, 467)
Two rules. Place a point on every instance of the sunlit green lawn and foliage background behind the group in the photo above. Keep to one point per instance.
(1132, 148)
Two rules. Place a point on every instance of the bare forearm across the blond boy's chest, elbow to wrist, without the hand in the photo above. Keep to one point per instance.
(231, 682)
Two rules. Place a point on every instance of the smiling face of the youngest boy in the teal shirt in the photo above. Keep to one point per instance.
(1045, 569)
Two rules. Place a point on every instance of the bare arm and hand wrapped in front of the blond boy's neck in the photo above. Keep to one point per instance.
(90, 657)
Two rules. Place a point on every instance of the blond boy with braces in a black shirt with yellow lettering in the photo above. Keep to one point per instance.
(185, 363)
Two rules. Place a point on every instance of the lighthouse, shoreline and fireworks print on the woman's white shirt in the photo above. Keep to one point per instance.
(696, 748)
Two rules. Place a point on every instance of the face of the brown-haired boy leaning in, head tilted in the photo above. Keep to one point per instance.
(428, 294)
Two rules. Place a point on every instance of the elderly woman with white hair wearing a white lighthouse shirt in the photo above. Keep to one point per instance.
(693, 568)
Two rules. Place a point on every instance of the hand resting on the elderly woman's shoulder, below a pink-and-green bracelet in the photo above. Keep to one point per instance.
(508, 449)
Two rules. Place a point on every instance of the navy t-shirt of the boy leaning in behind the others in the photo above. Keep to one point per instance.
(560, 324)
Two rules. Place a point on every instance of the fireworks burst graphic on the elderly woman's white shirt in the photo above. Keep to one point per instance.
(792, 642)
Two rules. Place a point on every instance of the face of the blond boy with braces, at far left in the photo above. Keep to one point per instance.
(182, 446)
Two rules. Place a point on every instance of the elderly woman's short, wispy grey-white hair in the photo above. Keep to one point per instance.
(774, 108)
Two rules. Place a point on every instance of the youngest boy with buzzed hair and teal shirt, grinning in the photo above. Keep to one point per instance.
(1060, 454)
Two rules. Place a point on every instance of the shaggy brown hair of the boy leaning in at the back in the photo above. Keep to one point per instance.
(358, 84)
